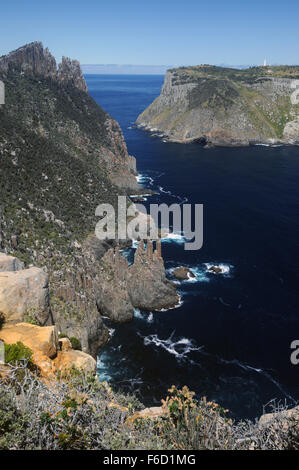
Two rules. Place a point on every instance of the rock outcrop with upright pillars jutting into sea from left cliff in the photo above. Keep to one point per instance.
(121, 288)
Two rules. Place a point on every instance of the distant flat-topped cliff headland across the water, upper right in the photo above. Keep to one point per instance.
(226, 106)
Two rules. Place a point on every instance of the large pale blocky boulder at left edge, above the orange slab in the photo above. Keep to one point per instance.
(24, 291)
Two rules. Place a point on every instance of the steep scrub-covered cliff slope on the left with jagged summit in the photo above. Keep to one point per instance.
(61, 156)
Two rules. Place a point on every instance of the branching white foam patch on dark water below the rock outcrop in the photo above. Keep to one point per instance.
(179, 348)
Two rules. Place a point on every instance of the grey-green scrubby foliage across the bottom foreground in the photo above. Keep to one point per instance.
(80, 412)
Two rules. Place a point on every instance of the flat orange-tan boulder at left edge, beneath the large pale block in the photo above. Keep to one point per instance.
(42, 340)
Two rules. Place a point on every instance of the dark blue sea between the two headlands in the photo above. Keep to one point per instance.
(230, 338)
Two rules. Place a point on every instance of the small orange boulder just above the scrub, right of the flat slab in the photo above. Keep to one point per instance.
(65, 360)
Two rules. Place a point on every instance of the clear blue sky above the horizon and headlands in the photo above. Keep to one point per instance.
(168, 32)
